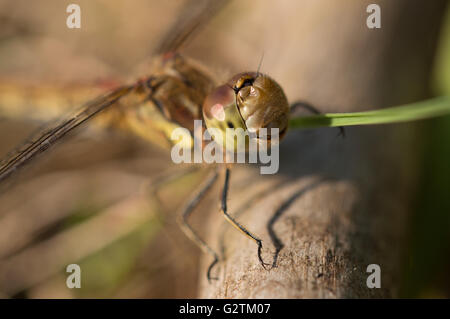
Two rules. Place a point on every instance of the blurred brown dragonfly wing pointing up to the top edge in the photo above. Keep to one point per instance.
(194, 15)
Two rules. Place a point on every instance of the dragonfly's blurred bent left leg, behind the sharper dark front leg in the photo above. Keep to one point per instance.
(189, 231)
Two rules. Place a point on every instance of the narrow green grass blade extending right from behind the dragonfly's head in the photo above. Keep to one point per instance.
(435, 107)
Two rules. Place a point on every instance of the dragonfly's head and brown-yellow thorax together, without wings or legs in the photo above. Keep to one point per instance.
(174, 95)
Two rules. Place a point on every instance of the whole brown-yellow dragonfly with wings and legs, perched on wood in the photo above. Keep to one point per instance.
(177, 92)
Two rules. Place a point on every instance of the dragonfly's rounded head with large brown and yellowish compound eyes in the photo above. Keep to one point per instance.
(249, 101)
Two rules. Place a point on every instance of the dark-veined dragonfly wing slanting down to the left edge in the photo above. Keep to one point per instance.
(42, 140)
